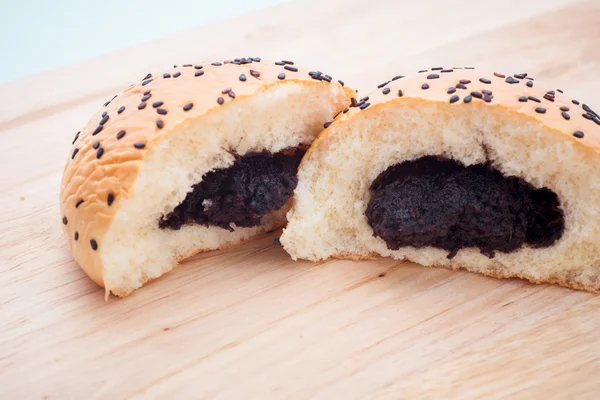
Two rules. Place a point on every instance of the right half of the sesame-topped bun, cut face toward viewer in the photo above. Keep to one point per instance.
(457, 168)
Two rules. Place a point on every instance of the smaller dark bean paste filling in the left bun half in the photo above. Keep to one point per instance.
(256, 184)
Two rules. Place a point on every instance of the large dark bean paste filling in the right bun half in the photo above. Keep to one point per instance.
(438, 202)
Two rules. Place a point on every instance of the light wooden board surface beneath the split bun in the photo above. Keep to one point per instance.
(248, 322)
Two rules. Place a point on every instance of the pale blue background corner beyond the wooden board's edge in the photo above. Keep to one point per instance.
(39, 35)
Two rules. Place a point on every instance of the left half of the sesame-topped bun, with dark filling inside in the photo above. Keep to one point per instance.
(194, 158)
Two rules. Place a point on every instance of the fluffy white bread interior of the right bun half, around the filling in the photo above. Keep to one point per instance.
(328, 219)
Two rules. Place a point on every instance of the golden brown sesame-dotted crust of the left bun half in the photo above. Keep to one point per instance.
(106, 155)
